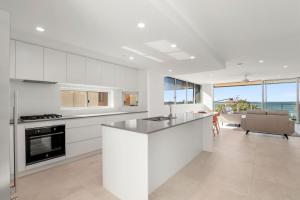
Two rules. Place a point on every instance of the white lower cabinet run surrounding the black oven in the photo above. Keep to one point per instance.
(83, 136)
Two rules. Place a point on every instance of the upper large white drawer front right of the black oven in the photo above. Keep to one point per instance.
(82, 133)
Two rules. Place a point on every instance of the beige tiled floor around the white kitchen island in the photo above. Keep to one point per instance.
(253, 167)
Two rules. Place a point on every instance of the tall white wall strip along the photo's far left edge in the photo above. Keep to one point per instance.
(4, 105)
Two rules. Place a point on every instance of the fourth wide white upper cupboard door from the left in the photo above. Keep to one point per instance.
(93, 72)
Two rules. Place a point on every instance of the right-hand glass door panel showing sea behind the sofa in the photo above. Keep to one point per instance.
(281, 95)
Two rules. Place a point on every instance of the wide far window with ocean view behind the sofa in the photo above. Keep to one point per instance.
(270, 95)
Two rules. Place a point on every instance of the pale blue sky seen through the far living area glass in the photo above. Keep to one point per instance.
(282, 92)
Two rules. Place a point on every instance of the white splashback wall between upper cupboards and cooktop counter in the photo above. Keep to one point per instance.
(40, 98)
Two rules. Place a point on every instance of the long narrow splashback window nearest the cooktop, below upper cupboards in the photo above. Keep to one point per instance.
(82, 99)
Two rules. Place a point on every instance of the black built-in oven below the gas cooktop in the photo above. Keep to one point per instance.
(44, 143)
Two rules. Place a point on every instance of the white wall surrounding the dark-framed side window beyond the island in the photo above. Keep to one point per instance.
(156, 97)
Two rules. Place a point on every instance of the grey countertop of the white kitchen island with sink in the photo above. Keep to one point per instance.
(148, 126)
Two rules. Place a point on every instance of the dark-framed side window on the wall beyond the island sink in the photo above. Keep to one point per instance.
(181, 92)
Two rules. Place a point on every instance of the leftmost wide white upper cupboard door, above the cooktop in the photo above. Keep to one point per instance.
(29, 61)
